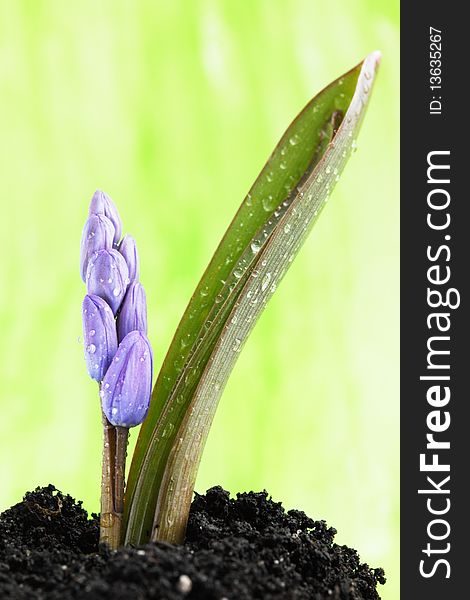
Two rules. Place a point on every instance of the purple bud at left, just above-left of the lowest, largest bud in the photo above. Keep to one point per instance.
(99, 334)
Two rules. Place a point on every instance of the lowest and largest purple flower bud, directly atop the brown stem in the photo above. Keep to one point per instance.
(127, 384)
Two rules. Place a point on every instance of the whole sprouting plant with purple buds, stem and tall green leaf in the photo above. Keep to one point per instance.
(257, 249)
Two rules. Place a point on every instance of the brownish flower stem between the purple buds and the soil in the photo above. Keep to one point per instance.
(112, 483)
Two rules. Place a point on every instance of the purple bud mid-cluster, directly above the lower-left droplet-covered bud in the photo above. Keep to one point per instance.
(108, 277)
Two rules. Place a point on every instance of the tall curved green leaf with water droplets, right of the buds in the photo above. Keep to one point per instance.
(258, 247)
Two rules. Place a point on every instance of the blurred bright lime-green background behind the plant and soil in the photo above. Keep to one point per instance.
(173, 108)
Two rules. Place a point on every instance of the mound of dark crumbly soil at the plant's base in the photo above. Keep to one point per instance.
(235, 550)
